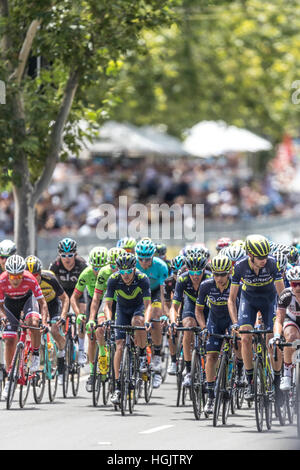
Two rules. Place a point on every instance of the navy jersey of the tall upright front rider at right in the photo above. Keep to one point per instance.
(257, 286)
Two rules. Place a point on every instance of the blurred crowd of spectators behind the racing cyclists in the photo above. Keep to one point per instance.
(226, 187)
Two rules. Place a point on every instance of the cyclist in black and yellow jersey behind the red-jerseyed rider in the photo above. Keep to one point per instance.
(57, 304)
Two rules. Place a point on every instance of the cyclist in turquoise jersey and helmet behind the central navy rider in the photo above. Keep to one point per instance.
(157, 272)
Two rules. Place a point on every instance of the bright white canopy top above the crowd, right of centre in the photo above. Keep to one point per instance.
(210, 138)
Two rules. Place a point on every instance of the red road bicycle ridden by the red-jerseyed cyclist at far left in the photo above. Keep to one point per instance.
(19, 373)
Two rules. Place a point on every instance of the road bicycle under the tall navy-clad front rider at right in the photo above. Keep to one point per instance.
(264, 393)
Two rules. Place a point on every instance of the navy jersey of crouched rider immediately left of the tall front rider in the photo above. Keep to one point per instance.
(216, 300)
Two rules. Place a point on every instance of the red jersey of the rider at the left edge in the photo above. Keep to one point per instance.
(29, 283)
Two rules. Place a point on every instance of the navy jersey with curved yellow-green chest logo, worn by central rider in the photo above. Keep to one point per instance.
(130, 296)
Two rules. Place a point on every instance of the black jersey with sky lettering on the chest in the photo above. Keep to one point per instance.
(68, 279)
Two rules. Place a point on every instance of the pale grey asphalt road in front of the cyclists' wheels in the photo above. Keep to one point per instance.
(73, 423)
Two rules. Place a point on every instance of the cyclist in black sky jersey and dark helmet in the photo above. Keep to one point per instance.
(67, 267)
